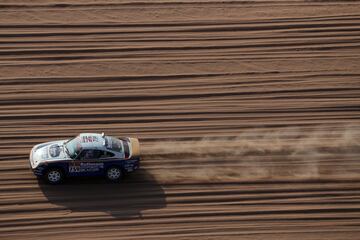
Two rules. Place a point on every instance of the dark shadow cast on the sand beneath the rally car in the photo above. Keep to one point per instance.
(139, 191)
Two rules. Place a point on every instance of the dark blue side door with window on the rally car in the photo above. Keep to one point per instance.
(87, 163)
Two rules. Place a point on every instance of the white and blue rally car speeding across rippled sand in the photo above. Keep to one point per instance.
(88, 154)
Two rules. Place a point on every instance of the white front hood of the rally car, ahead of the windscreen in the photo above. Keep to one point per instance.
(49, 151)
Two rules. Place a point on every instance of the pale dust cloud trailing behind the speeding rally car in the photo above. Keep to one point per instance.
(291, 153)
